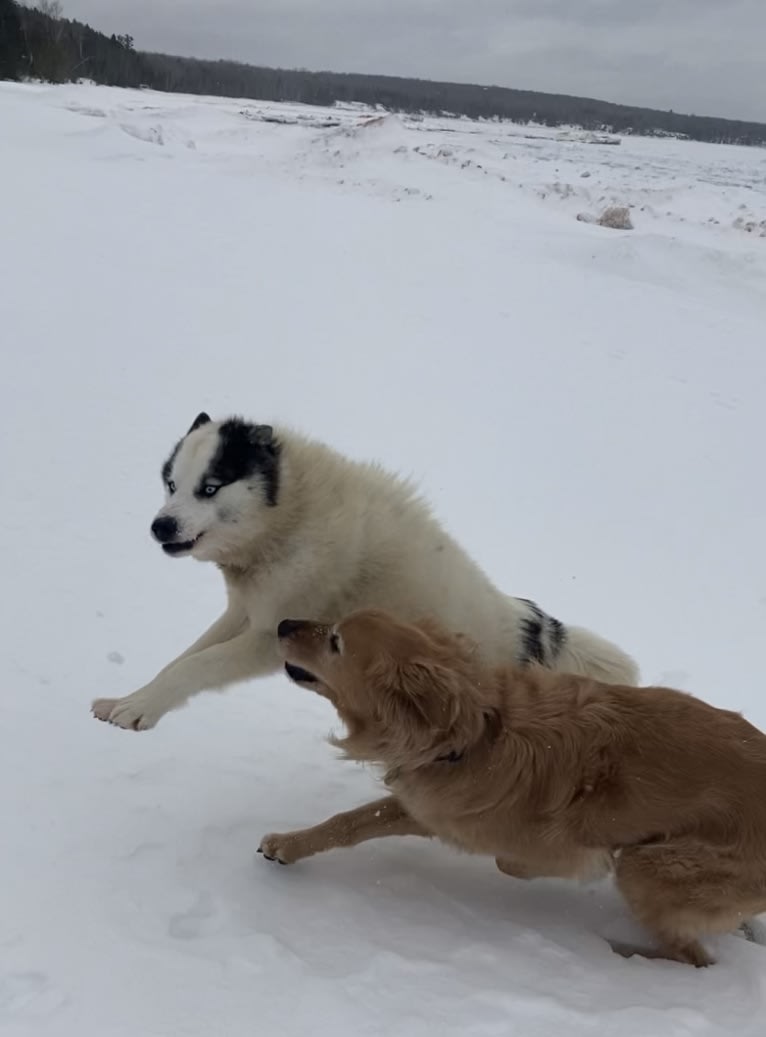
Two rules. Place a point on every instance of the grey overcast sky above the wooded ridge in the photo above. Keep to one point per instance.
(701, 57)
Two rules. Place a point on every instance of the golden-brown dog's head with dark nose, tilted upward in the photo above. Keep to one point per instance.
(406, 693)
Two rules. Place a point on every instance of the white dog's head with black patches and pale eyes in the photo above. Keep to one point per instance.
(220, 479)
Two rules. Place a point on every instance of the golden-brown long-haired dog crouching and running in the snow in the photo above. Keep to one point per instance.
(552, 775)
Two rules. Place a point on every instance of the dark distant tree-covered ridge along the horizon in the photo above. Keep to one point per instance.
(39, 43)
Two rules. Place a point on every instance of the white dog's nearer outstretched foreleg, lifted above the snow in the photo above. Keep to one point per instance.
(248, 655)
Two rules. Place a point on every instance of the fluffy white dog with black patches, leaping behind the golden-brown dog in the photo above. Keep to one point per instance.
(299, 530)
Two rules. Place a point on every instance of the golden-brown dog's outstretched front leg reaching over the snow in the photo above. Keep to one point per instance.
(375, 821)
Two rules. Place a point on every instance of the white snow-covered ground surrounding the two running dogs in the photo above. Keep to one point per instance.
(585, 409)
